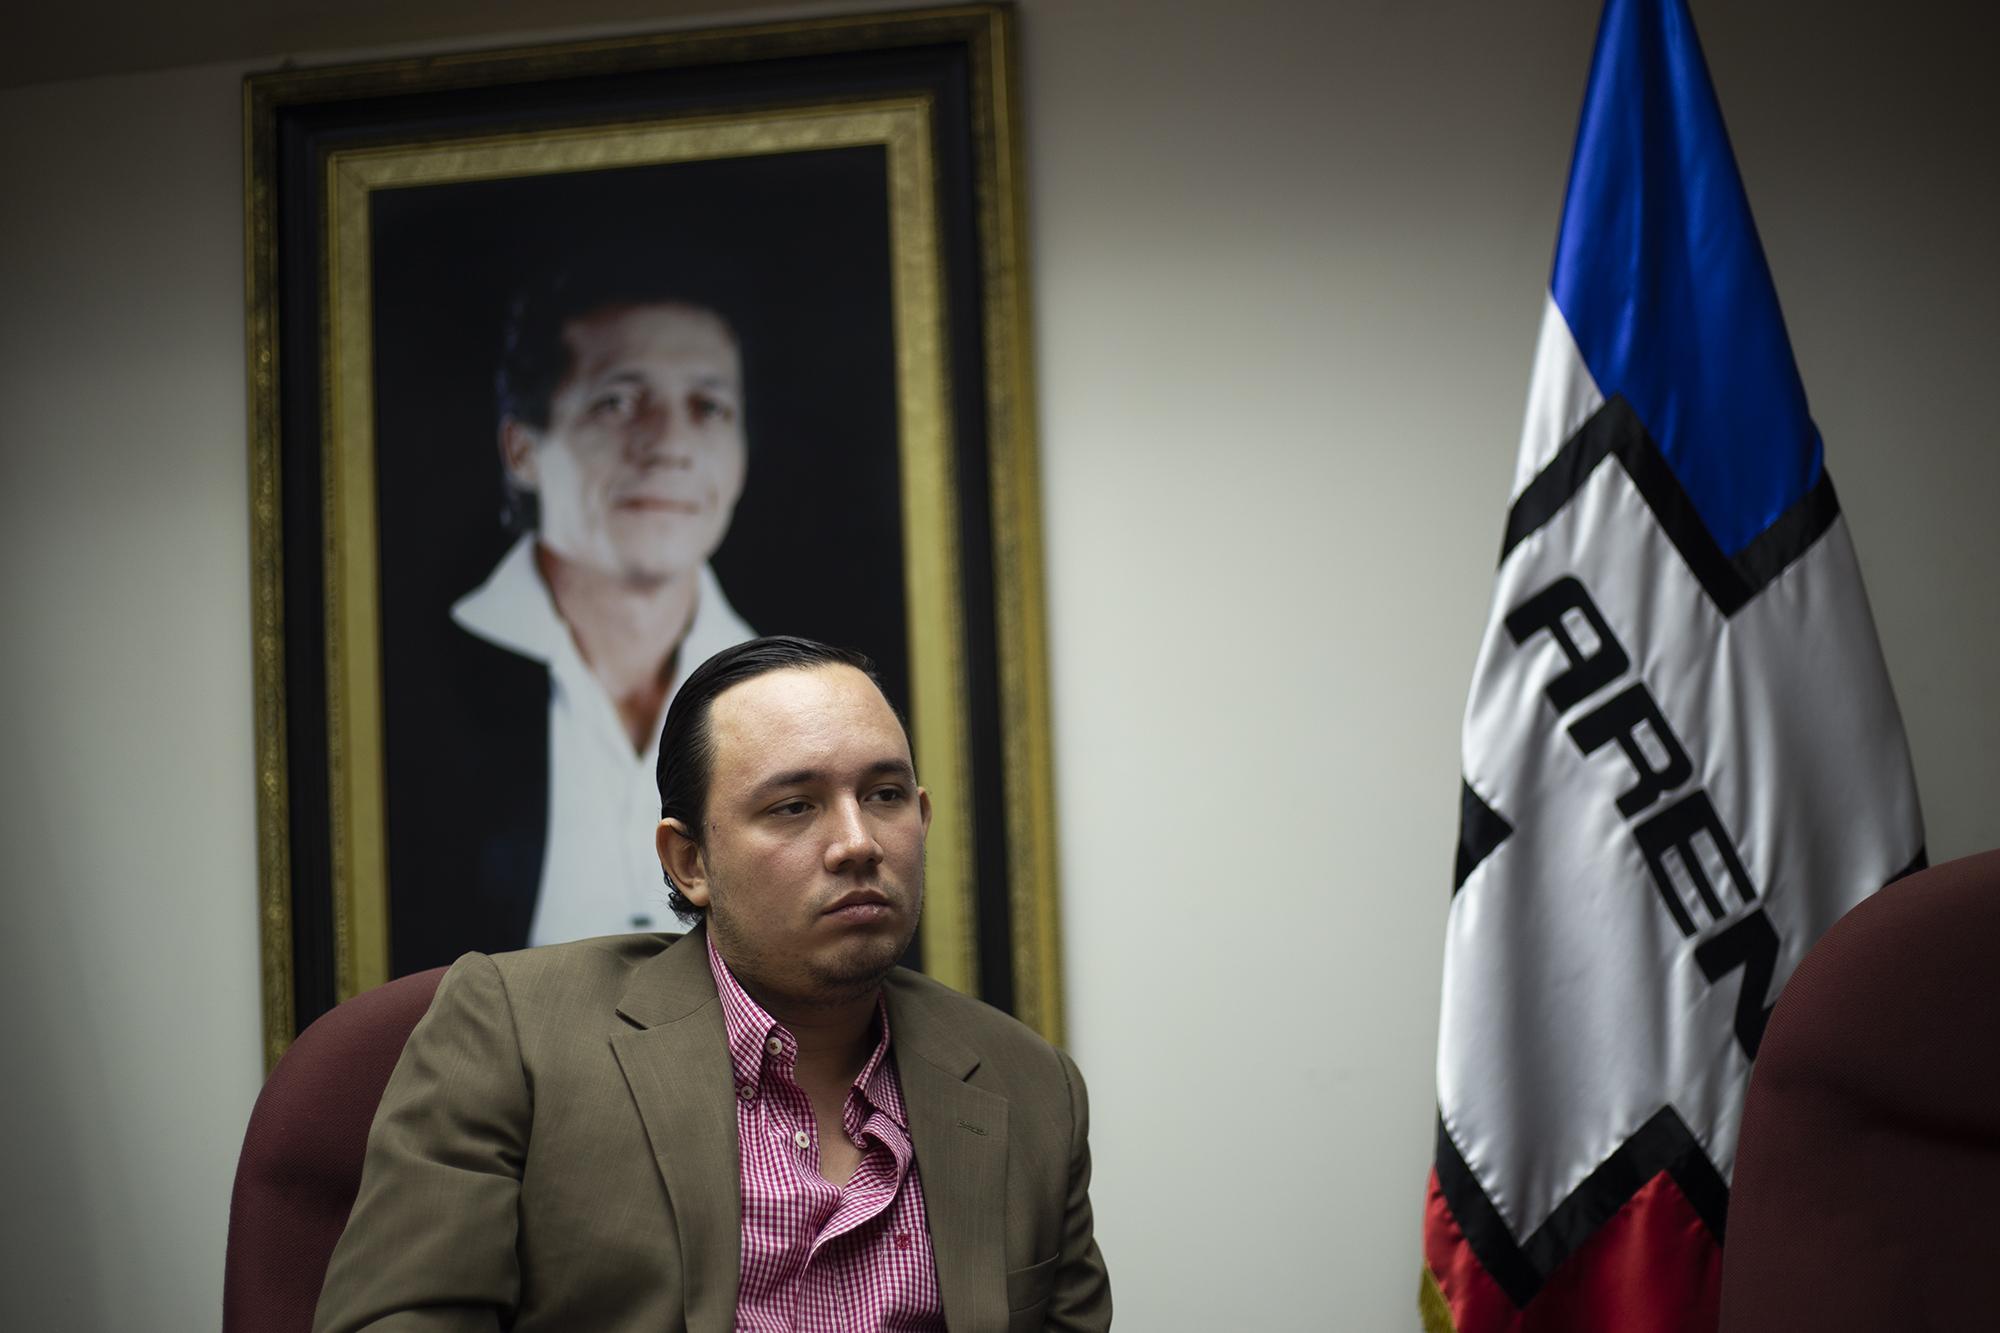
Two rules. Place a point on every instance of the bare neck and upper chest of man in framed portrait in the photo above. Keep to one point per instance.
(625, 629)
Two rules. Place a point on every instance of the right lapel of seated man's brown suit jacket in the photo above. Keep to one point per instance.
(959, 1134)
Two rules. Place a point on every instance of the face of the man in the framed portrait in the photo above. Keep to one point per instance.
(645, 455)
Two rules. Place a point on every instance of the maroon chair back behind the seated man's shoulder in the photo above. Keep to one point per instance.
(303, 1156)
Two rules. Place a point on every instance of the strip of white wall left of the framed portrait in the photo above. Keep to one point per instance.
(129, 986)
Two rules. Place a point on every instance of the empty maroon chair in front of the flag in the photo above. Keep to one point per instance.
(1869, 1168)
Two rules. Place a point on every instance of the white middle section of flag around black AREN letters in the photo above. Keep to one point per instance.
(1573, 1004)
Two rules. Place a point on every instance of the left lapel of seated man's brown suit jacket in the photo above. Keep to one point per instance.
(679, 1070)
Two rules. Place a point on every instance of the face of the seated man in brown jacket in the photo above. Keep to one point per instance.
(813, 862)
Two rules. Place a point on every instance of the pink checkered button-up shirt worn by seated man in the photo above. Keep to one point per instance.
(823, 1258)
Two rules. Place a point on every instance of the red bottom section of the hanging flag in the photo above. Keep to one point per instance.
(1653, 1268)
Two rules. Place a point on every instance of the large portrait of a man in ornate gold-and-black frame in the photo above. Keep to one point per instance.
(575, 365)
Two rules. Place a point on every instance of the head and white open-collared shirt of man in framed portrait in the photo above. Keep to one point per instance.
(623, 439)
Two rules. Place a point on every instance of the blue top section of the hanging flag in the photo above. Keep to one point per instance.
(1663, 281)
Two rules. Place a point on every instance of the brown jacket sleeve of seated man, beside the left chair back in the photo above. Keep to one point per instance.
(431, 1240)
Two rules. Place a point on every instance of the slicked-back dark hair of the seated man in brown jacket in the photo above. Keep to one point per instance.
(689, 746)
